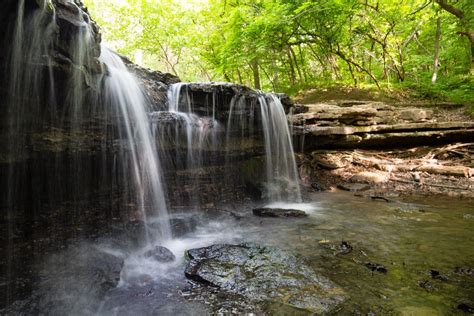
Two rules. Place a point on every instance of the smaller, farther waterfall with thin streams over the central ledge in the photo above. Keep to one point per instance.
(281, 183)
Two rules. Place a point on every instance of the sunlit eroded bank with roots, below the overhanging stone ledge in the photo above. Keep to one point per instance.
(392, 173)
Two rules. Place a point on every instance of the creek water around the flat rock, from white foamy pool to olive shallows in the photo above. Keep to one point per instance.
(408, 238)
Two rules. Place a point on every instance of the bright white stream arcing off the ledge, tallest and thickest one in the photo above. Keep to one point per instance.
(123, 92)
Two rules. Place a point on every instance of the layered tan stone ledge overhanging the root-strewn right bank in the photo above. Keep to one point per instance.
(360, 124)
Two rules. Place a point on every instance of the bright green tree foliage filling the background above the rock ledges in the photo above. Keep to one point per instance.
(288, 45)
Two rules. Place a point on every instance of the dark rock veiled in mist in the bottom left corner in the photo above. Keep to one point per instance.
(72, 282)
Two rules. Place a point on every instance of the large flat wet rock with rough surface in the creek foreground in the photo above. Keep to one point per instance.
(263, 273)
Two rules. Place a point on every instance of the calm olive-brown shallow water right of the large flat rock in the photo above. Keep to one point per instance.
(409, 238)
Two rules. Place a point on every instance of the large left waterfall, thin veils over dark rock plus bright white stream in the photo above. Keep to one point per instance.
(54, 98)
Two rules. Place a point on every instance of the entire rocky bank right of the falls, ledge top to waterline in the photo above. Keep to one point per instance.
(372, 148)
